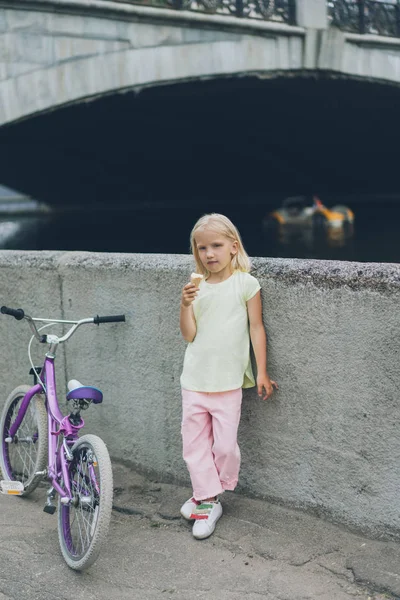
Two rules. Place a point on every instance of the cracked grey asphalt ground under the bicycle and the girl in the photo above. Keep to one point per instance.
(258, 551)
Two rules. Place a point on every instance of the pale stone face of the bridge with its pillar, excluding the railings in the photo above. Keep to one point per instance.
(56, 52)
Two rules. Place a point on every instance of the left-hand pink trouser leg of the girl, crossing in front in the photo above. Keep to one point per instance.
(197, 440)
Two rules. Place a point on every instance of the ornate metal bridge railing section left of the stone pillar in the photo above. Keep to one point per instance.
(283, 11)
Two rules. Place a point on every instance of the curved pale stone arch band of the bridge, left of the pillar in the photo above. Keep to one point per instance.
(81, 80)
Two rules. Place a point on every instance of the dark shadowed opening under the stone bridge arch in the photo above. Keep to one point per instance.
(227, 138)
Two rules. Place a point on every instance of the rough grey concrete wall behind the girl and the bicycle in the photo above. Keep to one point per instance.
(328, 441)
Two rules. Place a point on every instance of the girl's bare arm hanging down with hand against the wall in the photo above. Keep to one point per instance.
(259, 343)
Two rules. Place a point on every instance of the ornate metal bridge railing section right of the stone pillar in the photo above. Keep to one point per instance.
(381, 17)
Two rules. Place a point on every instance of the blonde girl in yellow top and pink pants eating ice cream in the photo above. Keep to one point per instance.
(214, 319)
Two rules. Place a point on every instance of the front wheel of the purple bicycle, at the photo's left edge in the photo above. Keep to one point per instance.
(22, 458)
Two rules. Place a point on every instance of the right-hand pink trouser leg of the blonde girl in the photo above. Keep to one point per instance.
(225, 422)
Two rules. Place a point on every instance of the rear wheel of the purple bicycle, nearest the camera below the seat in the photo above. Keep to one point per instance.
(92, 516)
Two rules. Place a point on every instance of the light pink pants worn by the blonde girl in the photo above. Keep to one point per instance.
(210, 422)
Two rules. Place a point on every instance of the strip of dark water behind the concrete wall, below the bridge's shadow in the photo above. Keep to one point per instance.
(163, 229)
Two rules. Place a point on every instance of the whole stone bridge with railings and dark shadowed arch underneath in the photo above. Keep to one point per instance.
(131, 100)
